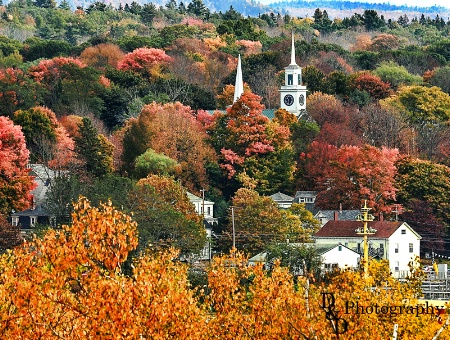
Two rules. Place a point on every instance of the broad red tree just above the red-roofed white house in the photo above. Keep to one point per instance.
(350, 174)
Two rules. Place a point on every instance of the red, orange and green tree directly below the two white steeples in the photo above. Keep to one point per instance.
(253, 150)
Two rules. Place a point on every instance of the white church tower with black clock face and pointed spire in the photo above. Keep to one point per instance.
(293, 93)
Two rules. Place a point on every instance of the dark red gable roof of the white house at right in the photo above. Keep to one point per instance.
(384, 229)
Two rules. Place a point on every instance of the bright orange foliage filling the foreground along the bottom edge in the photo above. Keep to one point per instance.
(69, 285)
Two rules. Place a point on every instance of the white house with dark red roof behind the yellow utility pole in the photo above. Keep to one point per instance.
(396, 242)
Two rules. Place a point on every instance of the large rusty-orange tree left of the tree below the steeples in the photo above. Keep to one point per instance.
(172, 130)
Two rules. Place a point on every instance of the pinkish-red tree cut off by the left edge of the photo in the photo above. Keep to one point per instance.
(15, 182)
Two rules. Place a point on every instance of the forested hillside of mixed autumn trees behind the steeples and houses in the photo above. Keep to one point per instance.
(111, 95)
